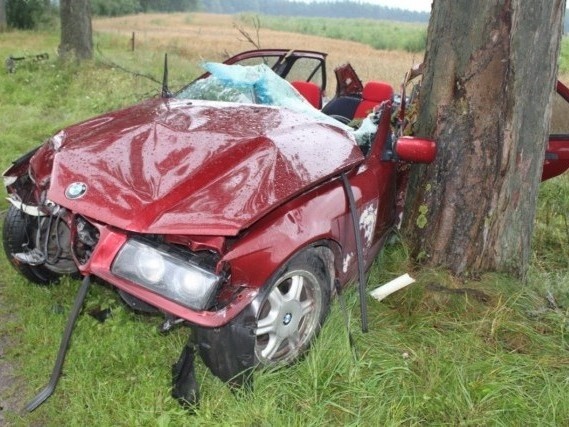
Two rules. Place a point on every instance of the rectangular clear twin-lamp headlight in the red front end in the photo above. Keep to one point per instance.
(167, 273)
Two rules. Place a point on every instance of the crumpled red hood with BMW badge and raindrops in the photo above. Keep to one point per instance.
(192, 167)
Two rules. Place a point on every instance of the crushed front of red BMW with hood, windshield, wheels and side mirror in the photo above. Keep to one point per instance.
(240, 217)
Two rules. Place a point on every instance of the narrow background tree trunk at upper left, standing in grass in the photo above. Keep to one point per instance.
(76, 32)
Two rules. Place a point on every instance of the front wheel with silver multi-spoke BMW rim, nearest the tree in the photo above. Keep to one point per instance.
(292, 310)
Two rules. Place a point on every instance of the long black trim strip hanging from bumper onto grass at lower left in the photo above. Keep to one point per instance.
(48, 390)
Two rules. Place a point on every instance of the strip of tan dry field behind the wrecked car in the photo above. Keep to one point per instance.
(200, 36)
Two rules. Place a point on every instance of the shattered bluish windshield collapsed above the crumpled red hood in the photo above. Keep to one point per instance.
(256, 84)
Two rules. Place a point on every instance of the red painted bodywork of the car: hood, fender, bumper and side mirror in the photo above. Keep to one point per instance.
(255, 184)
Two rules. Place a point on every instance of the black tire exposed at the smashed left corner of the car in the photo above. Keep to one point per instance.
(19, 235)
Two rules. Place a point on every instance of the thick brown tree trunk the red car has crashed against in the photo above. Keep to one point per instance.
(490, 69)
